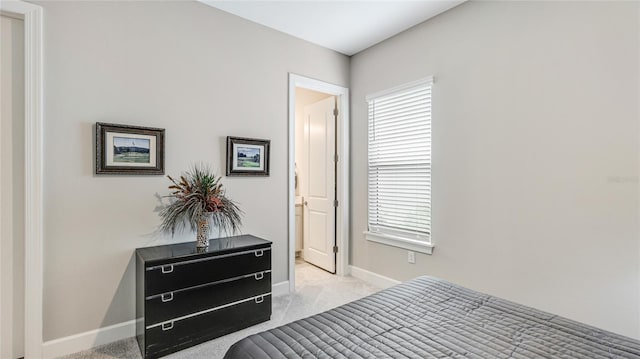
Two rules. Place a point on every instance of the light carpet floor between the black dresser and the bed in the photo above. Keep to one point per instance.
(316, 291)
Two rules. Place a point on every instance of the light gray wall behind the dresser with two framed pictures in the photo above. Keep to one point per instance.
(199, 73)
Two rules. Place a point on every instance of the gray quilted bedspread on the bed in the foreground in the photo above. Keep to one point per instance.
(431, 318)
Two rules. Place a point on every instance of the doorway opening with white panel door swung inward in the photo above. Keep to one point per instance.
(315, 184)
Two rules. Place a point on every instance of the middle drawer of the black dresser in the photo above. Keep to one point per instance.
(176, 304)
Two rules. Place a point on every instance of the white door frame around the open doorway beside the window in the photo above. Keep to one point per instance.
(342, 211)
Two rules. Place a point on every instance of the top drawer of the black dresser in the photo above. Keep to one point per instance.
(180, 275)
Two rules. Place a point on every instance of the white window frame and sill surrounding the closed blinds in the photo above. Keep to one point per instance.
(396, 237)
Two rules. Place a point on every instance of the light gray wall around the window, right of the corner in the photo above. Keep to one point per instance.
(535, 154)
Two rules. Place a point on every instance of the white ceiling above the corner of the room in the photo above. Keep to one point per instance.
(344, 26)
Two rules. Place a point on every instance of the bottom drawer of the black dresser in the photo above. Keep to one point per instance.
(178, 334)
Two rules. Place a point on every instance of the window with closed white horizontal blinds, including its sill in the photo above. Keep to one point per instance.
(400, 166)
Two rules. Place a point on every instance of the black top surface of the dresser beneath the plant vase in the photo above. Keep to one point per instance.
(217, 246)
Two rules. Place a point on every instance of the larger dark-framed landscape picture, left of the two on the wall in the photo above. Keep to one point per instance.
(129, 150)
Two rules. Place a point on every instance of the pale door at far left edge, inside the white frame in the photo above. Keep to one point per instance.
(11, 188)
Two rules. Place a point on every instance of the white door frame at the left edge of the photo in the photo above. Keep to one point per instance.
(33, 81)
